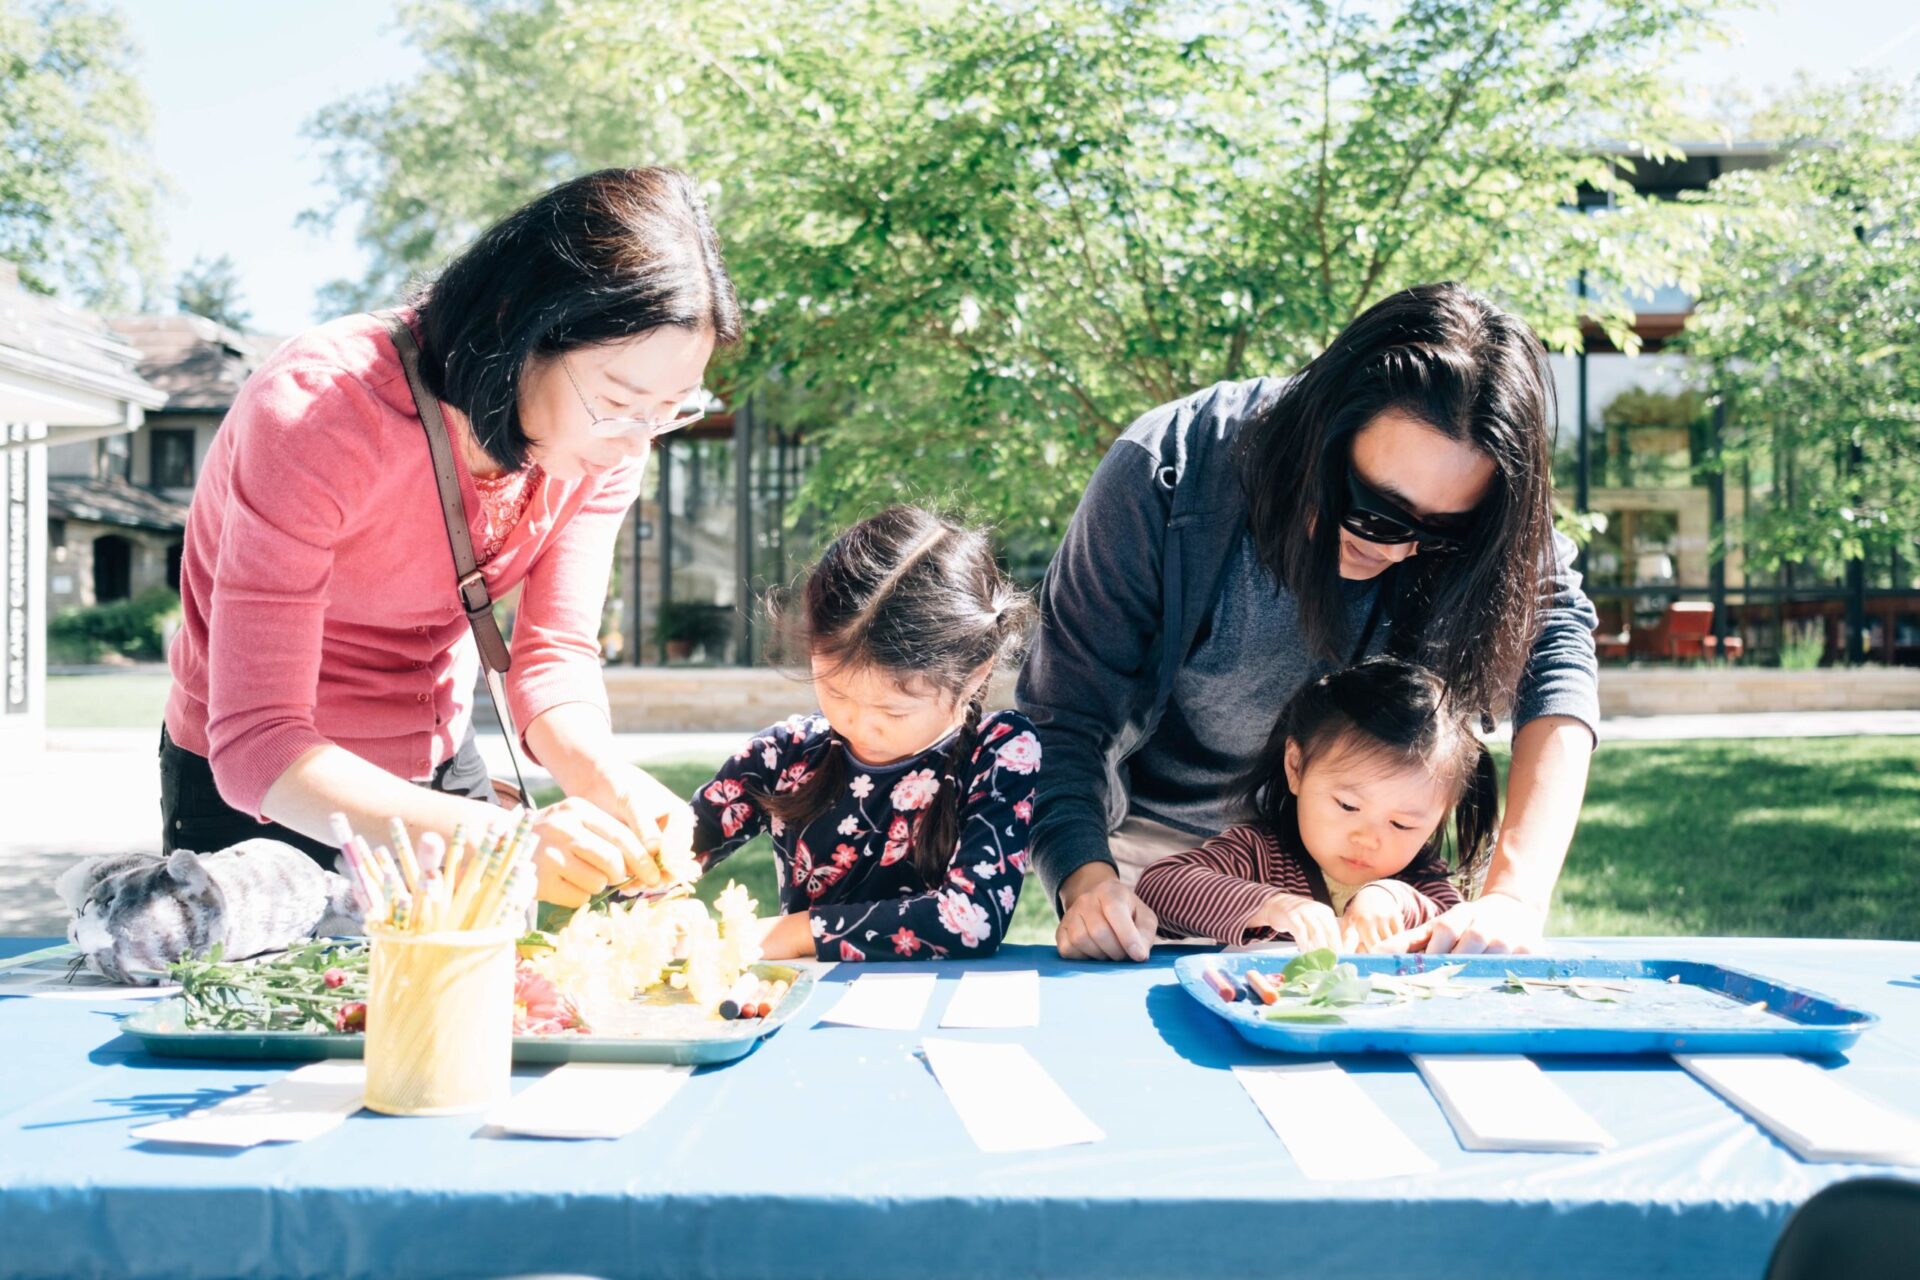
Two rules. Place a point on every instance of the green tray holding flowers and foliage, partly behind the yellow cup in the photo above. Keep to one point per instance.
(658, 1031)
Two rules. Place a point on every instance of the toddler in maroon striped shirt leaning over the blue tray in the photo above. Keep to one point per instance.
(1368, 782)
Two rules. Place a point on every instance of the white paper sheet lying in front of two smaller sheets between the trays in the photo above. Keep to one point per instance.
(1005, 1097)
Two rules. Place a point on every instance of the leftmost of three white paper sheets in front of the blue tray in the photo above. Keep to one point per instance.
(1330, 1126)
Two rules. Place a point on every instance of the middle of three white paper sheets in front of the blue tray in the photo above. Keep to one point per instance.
(1504, 1102)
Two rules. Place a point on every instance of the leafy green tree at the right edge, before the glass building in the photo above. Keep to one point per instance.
(1810, 329)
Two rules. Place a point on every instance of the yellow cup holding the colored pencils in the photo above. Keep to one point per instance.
(439, 1022)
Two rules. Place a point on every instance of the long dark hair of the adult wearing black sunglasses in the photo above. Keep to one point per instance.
(1474, 373)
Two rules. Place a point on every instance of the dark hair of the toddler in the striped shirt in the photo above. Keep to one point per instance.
(1403, 715)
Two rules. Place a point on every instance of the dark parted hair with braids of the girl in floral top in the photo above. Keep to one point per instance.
(921, 600)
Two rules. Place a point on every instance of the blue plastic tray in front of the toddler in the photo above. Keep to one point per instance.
(1671, 1007)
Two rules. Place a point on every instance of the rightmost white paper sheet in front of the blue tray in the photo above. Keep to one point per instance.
(1819, 1118)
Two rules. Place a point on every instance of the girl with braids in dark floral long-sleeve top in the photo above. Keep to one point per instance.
(900, 813)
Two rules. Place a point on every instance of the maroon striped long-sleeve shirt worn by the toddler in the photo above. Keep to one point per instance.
(1216, 891)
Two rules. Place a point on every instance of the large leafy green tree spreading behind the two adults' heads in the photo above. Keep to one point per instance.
(978, 239)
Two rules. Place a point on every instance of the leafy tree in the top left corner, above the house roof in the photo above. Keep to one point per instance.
(76, 176)
